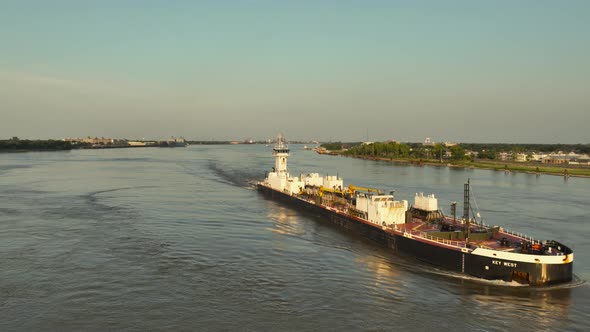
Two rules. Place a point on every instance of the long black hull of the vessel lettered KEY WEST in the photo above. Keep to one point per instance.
(449, 258)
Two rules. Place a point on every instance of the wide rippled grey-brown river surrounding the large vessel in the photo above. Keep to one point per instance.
(178, 239)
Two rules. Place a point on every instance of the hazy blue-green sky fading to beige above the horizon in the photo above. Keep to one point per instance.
(455, 71)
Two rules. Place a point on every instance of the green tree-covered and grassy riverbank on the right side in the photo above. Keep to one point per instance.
(455, 156)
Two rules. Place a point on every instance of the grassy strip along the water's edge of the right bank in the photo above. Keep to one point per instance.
(504, 166)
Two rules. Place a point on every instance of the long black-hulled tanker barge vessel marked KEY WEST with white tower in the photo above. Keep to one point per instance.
(421, 230)
